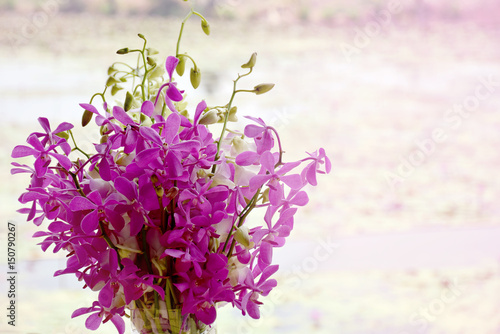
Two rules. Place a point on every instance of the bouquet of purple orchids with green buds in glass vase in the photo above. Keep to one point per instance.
(155, 219)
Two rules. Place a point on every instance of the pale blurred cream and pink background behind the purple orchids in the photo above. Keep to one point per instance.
(404, 95)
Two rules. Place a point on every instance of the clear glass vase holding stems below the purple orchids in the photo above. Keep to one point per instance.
(147, 320)
